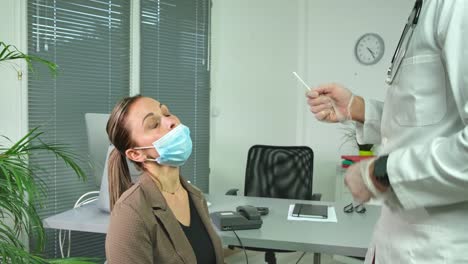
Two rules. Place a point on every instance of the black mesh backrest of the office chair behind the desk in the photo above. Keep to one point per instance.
(279, 172)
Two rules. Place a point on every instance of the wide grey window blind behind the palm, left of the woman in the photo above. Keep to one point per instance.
(89, 40)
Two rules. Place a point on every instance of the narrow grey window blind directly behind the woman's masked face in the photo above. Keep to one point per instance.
(174, 71)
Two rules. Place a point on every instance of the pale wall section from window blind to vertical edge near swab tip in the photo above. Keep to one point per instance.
(253, 98)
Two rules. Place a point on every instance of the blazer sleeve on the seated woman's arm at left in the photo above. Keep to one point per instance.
(128, 238)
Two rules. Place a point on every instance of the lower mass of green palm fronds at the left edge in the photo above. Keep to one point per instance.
(20, 191)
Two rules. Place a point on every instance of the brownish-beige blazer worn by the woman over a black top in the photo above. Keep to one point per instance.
(143, 229)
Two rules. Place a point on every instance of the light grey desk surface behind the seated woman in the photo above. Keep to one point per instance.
(349, 236)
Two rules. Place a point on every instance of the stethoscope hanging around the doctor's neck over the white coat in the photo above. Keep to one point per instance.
(405, 38)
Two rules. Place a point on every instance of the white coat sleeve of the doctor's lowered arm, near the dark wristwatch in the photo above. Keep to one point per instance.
(436, 174)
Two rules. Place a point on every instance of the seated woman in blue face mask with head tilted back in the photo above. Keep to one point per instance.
(162, 218)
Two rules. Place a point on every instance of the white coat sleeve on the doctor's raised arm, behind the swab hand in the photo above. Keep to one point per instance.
(369, 132)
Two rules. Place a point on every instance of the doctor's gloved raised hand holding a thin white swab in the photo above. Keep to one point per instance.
(331, 102)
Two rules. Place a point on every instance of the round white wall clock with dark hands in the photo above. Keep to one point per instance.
(369, 49)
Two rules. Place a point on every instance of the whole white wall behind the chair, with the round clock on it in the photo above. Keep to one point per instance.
(255, 99)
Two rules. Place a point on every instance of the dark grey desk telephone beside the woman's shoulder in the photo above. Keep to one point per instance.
(245, 217)
